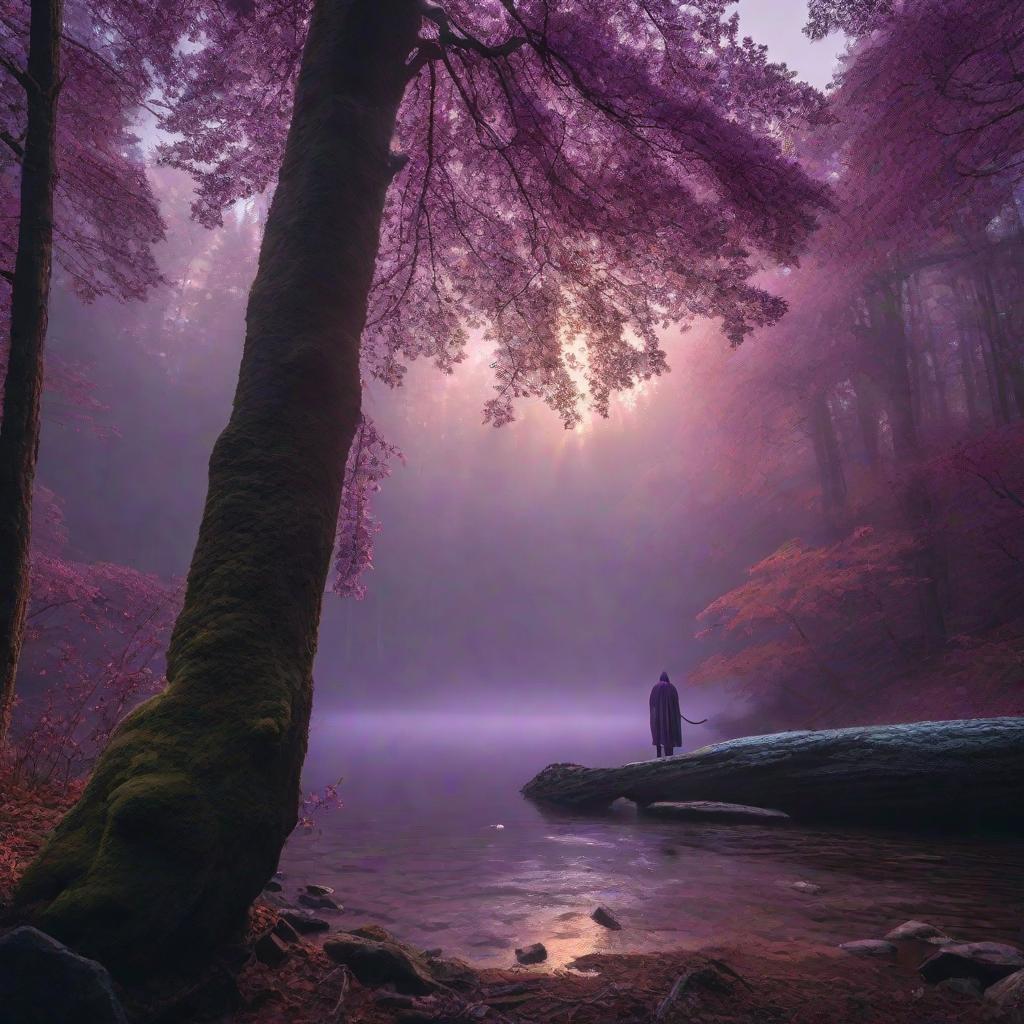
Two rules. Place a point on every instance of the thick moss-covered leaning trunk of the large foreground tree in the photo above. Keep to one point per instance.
(186, 815)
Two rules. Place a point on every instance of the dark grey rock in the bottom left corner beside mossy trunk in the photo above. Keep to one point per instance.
(44, 983)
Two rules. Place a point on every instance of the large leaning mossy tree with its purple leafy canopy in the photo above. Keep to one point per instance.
(563, 181)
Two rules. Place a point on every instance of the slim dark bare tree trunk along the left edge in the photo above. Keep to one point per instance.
(30, 298)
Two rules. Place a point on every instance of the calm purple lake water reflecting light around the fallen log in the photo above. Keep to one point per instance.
(416, 849)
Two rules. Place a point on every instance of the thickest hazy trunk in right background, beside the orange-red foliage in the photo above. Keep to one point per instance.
(887, 320)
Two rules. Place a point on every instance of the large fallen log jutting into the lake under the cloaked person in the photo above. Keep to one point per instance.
(952, 775)
